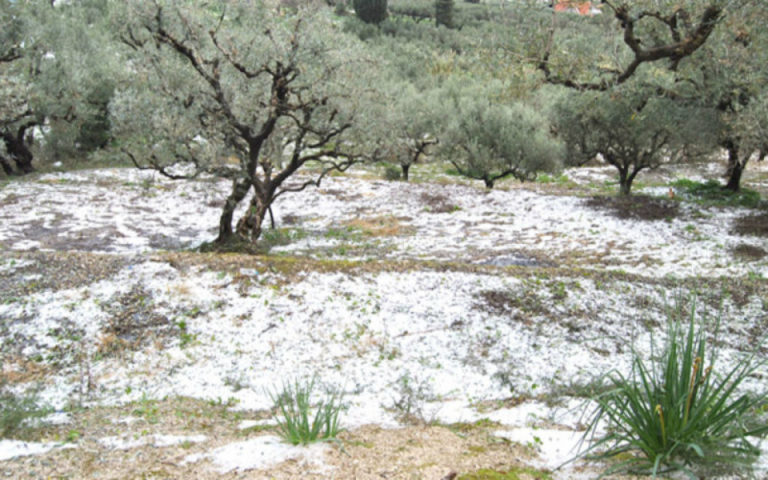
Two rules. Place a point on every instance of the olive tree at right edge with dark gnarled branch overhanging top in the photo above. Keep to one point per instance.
(712, 52)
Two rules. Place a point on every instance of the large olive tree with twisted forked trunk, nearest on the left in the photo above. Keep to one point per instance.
(243, 93)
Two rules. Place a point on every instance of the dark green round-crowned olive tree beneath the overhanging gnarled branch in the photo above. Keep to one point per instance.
(632, 129)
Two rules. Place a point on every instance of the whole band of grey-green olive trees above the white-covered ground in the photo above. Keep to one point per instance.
(258, 93)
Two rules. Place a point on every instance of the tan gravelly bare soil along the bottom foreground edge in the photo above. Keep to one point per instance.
(371, 452)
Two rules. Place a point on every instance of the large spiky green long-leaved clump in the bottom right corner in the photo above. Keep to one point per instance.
(676, 413)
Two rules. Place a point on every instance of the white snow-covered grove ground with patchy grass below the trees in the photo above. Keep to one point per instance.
(500, 305)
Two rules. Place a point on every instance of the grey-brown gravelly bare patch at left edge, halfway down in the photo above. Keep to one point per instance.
(55, 271)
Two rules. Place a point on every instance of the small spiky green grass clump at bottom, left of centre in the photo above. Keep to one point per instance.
(296, 423)
